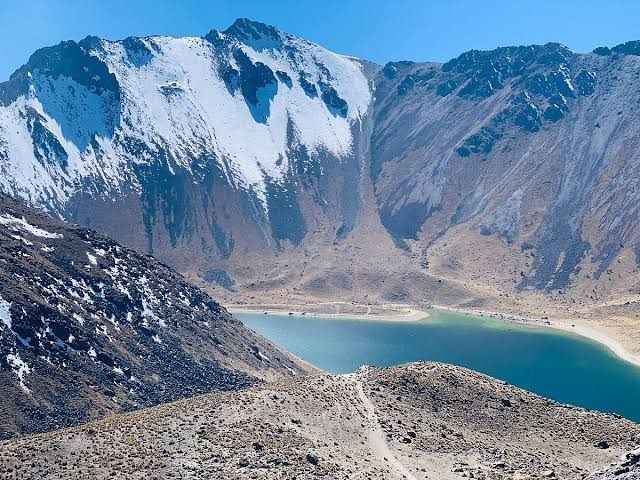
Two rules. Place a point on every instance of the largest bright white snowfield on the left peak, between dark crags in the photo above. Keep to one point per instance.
(206, 115)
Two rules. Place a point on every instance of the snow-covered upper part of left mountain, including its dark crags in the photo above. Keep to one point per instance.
(248, 106)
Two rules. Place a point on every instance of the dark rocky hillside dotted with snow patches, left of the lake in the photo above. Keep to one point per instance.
(89, 328)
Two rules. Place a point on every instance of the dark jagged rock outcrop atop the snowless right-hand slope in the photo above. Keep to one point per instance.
(540, 81)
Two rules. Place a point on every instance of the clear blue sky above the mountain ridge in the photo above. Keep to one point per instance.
(378, 30)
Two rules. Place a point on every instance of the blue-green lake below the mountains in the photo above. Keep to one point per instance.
(558, 365)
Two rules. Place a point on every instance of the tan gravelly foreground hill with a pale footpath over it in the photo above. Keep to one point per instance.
(416, 421)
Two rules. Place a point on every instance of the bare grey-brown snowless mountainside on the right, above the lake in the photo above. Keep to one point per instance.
(533, 145)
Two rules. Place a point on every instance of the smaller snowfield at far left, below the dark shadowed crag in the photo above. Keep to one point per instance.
(42, 181)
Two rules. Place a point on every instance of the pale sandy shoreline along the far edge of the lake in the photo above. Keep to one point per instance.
(413, 313)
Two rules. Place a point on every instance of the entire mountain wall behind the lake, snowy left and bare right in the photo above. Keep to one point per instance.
(235, 155)
